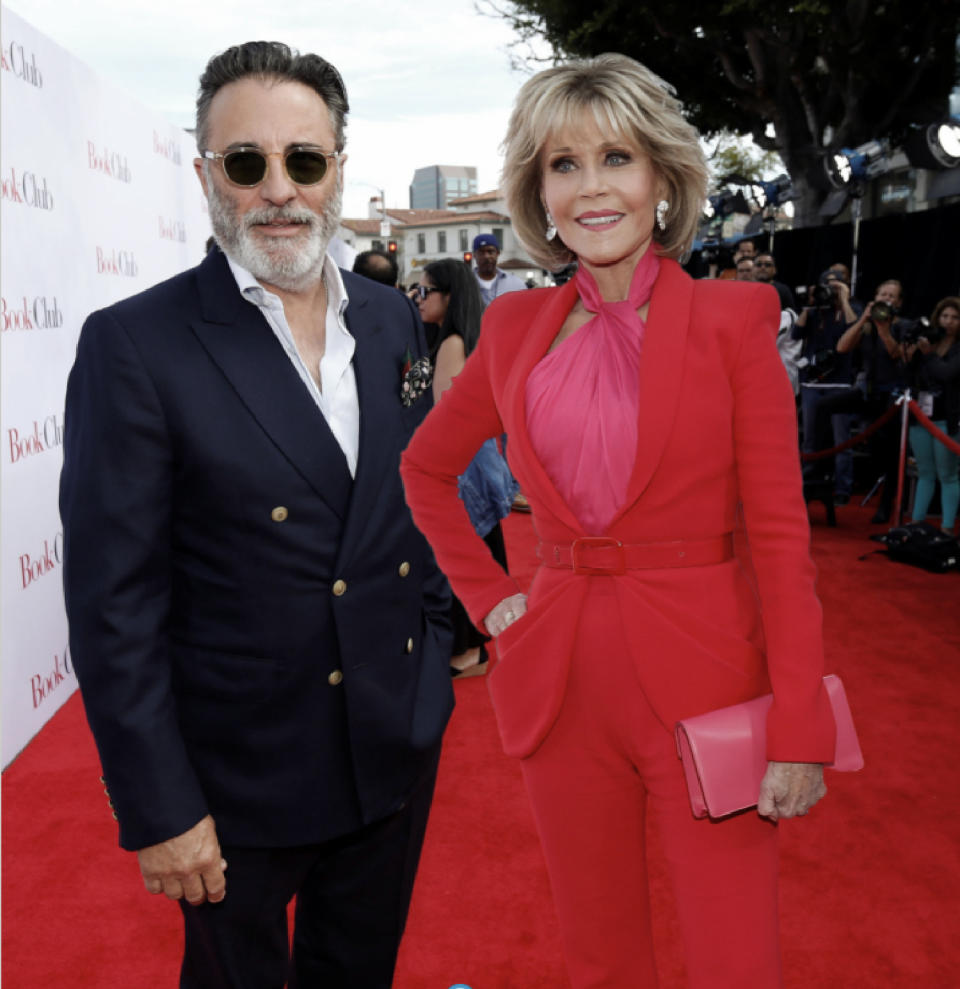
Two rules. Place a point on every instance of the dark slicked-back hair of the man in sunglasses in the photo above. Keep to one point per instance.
(272, 60)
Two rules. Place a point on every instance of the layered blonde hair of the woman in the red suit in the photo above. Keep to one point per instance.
(625, 98)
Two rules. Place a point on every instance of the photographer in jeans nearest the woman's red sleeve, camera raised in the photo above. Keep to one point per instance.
(825, 372)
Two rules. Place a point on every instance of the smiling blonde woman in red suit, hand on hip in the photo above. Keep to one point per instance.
(646, 414)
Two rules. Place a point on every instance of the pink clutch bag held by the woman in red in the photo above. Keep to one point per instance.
(724, 752)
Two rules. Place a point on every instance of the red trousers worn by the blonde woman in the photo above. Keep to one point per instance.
(606, 760)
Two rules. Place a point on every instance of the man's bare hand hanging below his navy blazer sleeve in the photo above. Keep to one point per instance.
(188, 866)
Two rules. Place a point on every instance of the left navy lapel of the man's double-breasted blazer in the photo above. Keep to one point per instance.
(241, 343)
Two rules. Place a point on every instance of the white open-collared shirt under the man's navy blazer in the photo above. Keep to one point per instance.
(337, 399)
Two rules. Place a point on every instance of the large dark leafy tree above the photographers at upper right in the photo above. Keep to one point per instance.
(801, 78)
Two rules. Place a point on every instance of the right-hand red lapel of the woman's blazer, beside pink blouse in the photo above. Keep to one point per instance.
(661, 371)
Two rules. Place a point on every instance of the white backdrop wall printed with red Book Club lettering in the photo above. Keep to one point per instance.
(99, 201)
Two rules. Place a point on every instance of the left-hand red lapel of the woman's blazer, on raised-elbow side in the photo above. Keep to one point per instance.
(536, 342)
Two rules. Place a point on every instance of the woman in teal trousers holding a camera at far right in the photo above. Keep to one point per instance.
(934, 373)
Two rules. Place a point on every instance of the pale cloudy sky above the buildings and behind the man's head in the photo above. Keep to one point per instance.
(429, 83)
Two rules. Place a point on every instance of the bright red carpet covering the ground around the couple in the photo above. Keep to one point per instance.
(869, 885)
